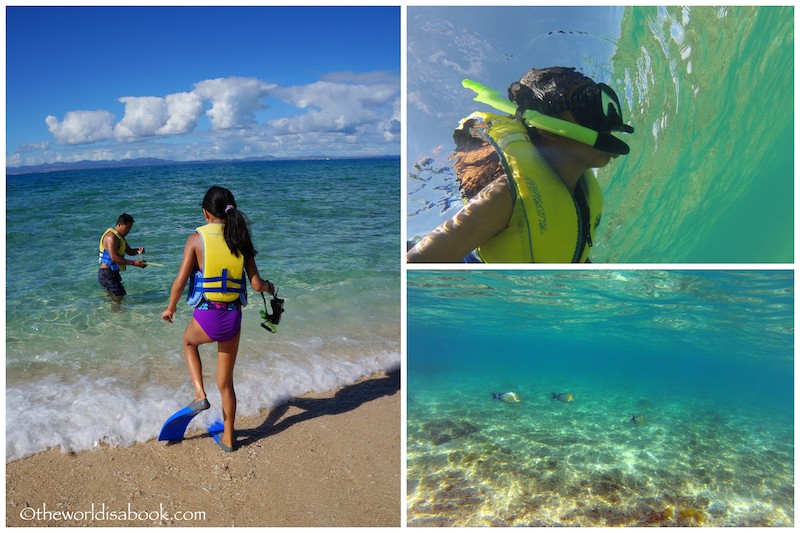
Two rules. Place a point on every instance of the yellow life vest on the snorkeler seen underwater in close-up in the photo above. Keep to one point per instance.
(546, 225)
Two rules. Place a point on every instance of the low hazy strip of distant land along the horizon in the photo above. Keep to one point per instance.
(154, 162)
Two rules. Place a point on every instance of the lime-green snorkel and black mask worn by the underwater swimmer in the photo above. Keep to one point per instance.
(595, 106)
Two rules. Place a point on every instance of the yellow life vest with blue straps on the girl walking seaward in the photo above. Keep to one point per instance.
(223, 277)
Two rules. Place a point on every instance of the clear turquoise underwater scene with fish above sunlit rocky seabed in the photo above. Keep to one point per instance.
(703, 359)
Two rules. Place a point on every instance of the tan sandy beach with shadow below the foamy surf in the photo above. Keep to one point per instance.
(321, 460)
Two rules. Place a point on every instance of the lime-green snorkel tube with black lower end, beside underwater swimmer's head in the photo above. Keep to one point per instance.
(563, 128)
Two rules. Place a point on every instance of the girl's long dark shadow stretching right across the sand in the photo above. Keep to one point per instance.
(346, 399)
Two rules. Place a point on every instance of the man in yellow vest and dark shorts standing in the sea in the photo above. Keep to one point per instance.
(113, 248)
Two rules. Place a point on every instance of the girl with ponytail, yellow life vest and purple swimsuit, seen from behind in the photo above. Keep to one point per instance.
(218, 260)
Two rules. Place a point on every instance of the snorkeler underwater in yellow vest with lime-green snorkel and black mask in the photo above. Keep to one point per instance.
(529, 196)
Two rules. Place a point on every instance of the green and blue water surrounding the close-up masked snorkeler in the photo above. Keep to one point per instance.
(709, 90)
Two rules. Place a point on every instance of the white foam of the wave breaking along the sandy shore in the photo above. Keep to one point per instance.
(83, 413)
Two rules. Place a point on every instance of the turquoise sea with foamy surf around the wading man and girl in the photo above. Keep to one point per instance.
(82, 371)
